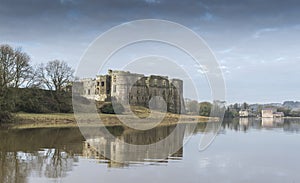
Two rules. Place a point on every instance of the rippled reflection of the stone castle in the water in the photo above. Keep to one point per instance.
(101, 147)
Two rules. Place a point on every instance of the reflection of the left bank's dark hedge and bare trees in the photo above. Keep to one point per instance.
(21, 156)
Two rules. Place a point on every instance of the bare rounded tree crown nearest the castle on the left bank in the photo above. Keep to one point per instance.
(55, 75)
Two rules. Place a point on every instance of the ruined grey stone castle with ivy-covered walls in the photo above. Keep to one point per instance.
(133, 89)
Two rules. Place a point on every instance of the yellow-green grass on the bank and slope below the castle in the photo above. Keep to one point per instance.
(64, 120)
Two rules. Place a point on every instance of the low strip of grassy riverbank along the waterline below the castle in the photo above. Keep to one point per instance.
(63, 120)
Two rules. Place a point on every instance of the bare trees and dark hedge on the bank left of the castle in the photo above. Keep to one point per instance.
(28, 88)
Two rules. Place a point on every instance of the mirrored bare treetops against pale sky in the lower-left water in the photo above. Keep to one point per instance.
(51, 163)
